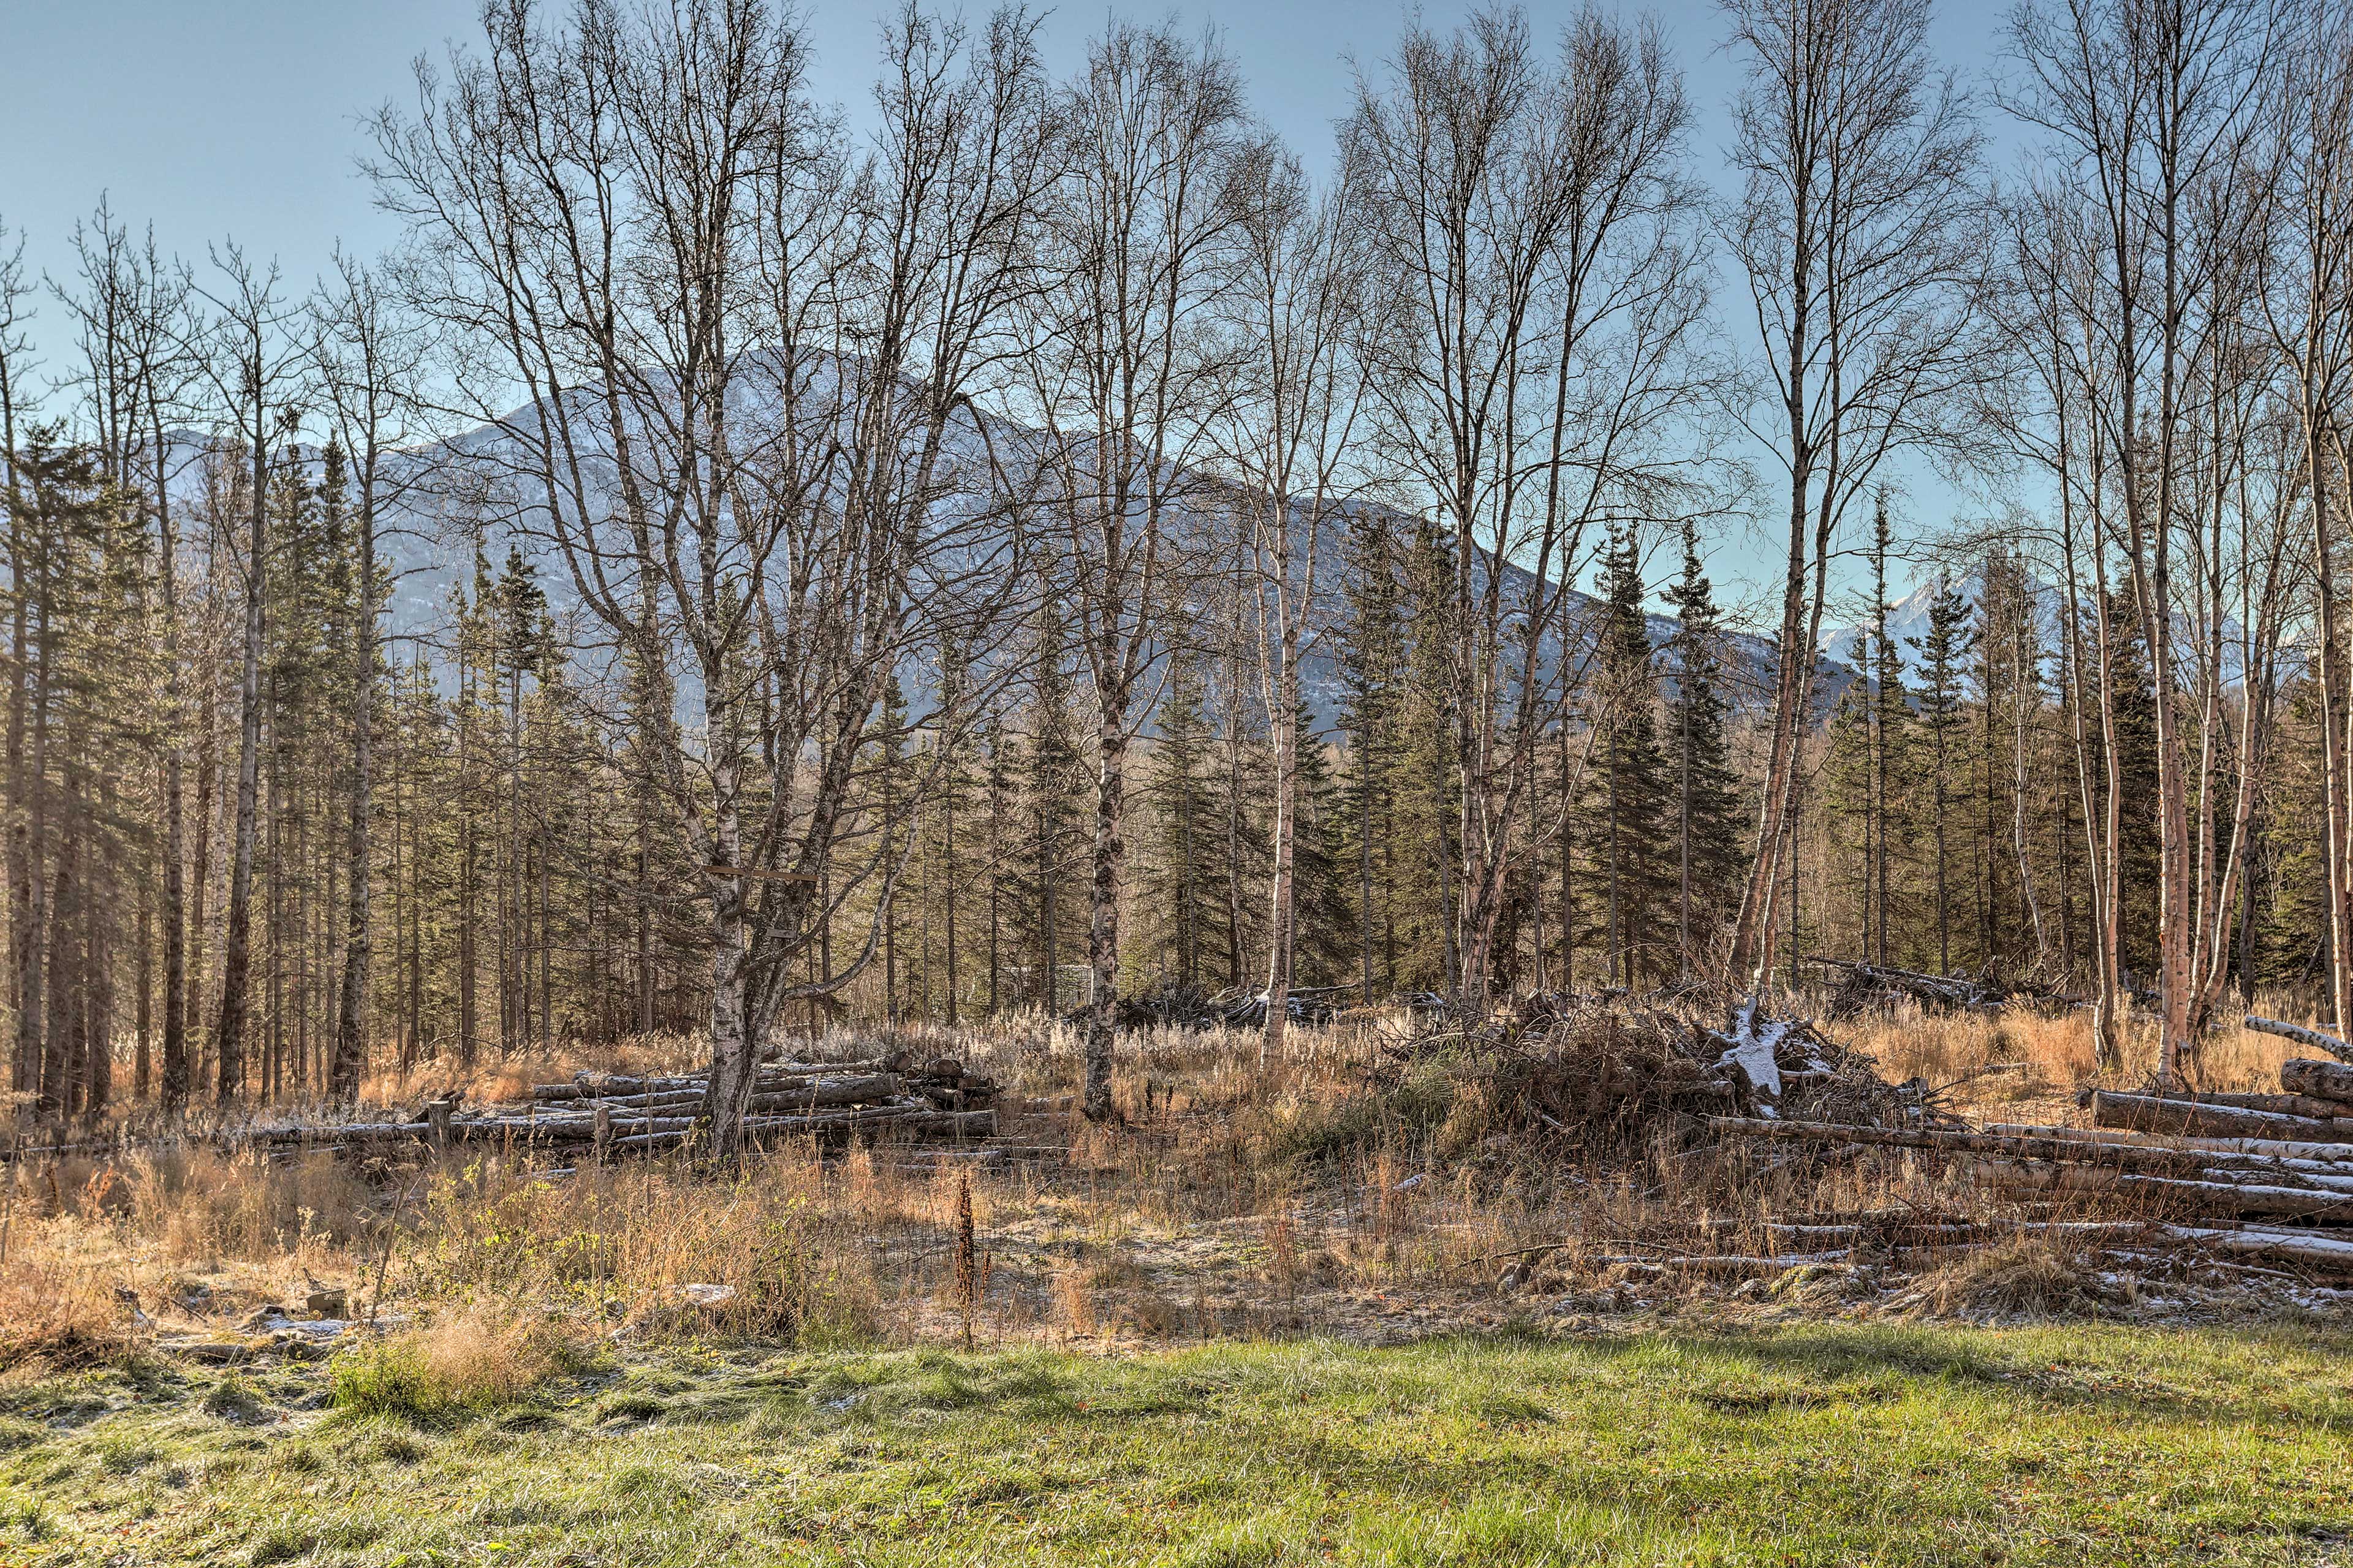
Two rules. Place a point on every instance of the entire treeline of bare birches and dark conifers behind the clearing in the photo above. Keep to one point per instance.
(1034, 540)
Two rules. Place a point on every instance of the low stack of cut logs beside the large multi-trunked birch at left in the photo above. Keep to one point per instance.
(618, 1115)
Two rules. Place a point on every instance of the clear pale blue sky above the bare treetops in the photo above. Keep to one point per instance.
(241, 119)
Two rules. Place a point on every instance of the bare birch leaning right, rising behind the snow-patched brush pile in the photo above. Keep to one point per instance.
(1862, 244)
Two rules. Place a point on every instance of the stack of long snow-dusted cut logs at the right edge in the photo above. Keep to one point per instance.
(2267, 1176)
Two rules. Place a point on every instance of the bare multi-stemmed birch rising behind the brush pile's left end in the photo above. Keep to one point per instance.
(1533, 366)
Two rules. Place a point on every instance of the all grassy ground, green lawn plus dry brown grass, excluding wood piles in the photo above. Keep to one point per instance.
(1269, 1320)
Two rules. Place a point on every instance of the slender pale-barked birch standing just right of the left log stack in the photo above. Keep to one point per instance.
(1126, 385)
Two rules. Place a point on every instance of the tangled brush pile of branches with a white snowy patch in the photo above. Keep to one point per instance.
(1613, 1065)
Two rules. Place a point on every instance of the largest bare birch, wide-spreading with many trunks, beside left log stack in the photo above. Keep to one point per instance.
(747, 434)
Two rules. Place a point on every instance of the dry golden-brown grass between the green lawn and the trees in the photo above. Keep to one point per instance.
(1239, 1195)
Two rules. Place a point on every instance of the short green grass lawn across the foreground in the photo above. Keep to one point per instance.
(1837, 1444)
